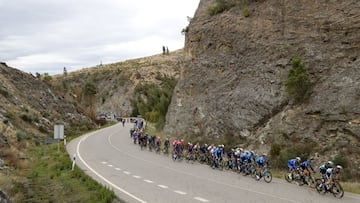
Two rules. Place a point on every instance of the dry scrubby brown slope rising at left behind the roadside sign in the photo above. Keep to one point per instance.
(29, 108)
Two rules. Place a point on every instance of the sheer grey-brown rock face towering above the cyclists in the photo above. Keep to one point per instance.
(234, 82)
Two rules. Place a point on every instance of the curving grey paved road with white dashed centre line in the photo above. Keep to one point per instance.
(109, 157)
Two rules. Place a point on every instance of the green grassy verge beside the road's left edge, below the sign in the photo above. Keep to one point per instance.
(49, 178)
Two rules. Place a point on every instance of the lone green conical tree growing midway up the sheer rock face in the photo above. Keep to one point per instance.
(298, 84)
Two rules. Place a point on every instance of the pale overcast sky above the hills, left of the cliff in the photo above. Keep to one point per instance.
(45, 36)
